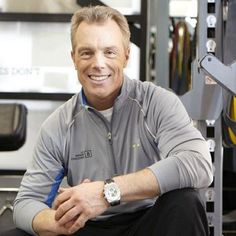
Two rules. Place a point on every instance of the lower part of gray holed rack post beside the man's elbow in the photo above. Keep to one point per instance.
(211, 130)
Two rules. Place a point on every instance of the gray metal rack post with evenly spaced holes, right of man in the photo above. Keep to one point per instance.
(211, 29)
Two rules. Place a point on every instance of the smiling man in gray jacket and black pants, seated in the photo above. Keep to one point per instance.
(121, 143)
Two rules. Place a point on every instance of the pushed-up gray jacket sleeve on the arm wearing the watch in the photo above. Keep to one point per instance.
(185, 157)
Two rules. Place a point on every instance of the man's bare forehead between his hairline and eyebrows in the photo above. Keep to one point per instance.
(102, 33)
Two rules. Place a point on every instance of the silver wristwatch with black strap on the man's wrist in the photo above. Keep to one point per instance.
(111, 192)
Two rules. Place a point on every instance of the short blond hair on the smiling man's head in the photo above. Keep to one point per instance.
(100, 14)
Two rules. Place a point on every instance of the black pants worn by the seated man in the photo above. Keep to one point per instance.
(176, 213)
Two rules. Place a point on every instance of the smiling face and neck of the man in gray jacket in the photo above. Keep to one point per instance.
(99, 57)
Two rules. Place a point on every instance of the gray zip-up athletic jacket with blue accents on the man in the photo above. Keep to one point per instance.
(149, 128)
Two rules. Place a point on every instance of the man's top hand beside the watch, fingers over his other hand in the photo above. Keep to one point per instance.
(75, 205)
